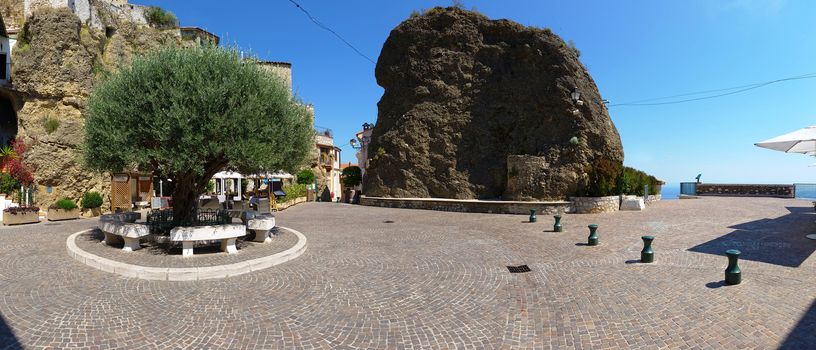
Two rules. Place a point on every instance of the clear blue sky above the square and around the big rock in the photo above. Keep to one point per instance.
(633, 49)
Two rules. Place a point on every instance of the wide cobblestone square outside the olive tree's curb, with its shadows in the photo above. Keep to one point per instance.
(391, 279)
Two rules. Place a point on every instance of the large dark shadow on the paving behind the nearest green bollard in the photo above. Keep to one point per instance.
(779, 241)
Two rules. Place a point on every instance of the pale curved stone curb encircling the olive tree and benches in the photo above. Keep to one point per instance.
(187, 273)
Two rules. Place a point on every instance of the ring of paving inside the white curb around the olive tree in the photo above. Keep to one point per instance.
(157, 255)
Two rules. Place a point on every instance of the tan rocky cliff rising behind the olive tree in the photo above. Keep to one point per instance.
(55, 64)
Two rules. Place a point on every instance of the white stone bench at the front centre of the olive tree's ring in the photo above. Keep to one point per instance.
(225, 233)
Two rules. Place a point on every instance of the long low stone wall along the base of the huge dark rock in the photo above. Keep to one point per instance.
(468, 205)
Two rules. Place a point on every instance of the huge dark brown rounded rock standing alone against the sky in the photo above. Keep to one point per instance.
(465, 95)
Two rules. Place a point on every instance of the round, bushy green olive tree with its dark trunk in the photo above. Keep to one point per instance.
(187, 113)
